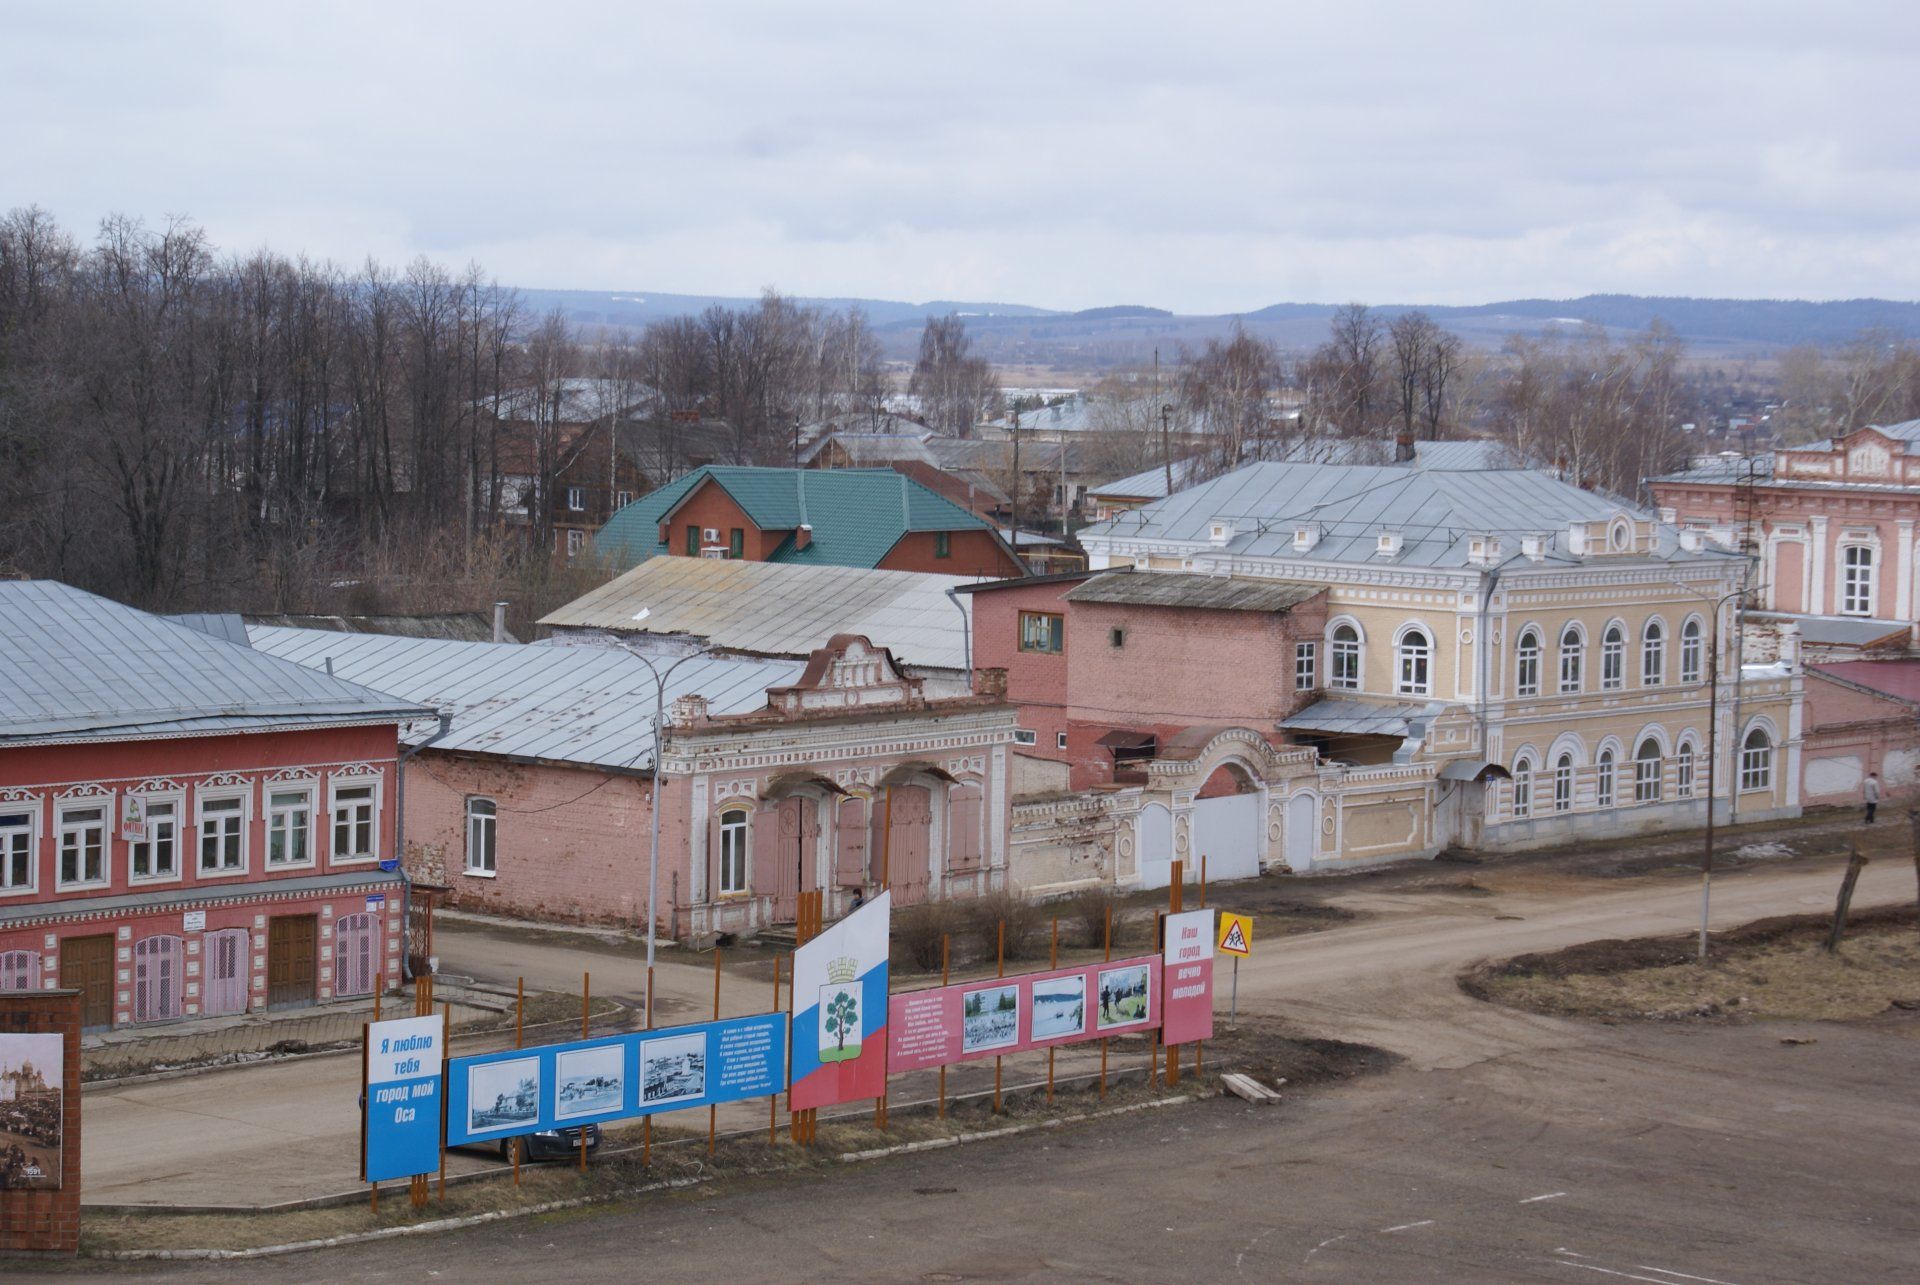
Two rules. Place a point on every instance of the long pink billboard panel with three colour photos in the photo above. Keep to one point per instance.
(1030, 1011)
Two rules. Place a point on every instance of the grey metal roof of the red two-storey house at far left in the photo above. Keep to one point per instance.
(78, 667)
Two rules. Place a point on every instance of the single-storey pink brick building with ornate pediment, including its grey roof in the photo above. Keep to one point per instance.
(777, 779)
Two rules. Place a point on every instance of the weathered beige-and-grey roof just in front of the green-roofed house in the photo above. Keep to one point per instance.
(780, 610)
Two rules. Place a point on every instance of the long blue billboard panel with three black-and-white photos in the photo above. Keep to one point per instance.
(517, 1092)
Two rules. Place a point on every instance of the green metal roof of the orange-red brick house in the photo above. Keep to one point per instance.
(857, 514)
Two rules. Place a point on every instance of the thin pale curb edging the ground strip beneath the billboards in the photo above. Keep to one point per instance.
(552, 1207)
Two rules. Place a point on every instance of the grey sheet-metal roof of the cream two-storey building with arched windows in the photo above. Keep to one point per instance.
(1435, 512)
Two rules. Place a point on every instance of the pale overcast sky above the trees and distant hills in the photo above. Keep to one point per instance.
(1201, 158)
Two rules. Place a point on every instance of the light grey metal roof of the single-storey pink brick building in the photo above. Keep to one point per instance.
(588, 706)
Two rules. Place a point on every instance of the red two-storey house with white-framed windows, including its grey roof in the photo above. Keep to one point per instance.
(187, 827)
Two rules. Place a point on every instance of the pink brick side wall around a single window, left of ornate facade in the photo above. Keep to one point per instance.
(571, 844)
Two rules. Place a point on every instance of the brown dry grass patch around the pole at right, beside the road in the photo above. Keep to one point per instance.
(1773, 971)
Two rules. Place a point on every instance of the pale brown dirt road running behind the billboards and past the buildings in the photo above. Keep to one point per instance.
(283, 1132)
